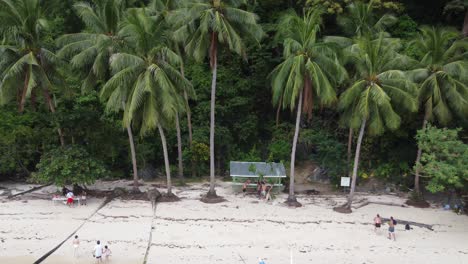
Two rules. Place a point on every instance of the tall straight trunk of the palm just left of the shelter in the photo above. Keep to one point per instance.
(213, 55)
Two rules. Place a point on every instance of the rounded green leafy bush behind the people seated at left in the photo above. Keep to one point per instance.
(68, 165)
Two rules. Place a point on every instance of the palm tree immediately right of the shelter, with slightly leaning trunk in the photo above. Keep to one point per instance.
(307, 75)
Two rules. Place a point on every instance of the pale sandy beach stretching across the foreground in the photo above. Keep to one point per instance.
(240, 230)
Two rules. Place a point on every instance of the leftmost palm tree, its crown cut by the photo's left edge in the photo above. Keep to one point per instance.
(27, 67)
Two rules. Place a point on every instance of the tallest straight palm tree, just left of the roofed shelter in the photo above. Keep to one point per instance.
(203, 25)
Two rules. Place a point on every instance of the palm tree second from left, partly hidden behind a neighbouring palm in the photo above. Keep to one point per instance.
(89, 51)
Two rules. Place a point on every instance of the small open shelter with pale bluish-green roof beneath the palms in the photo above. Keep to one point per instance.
(270, 172)
